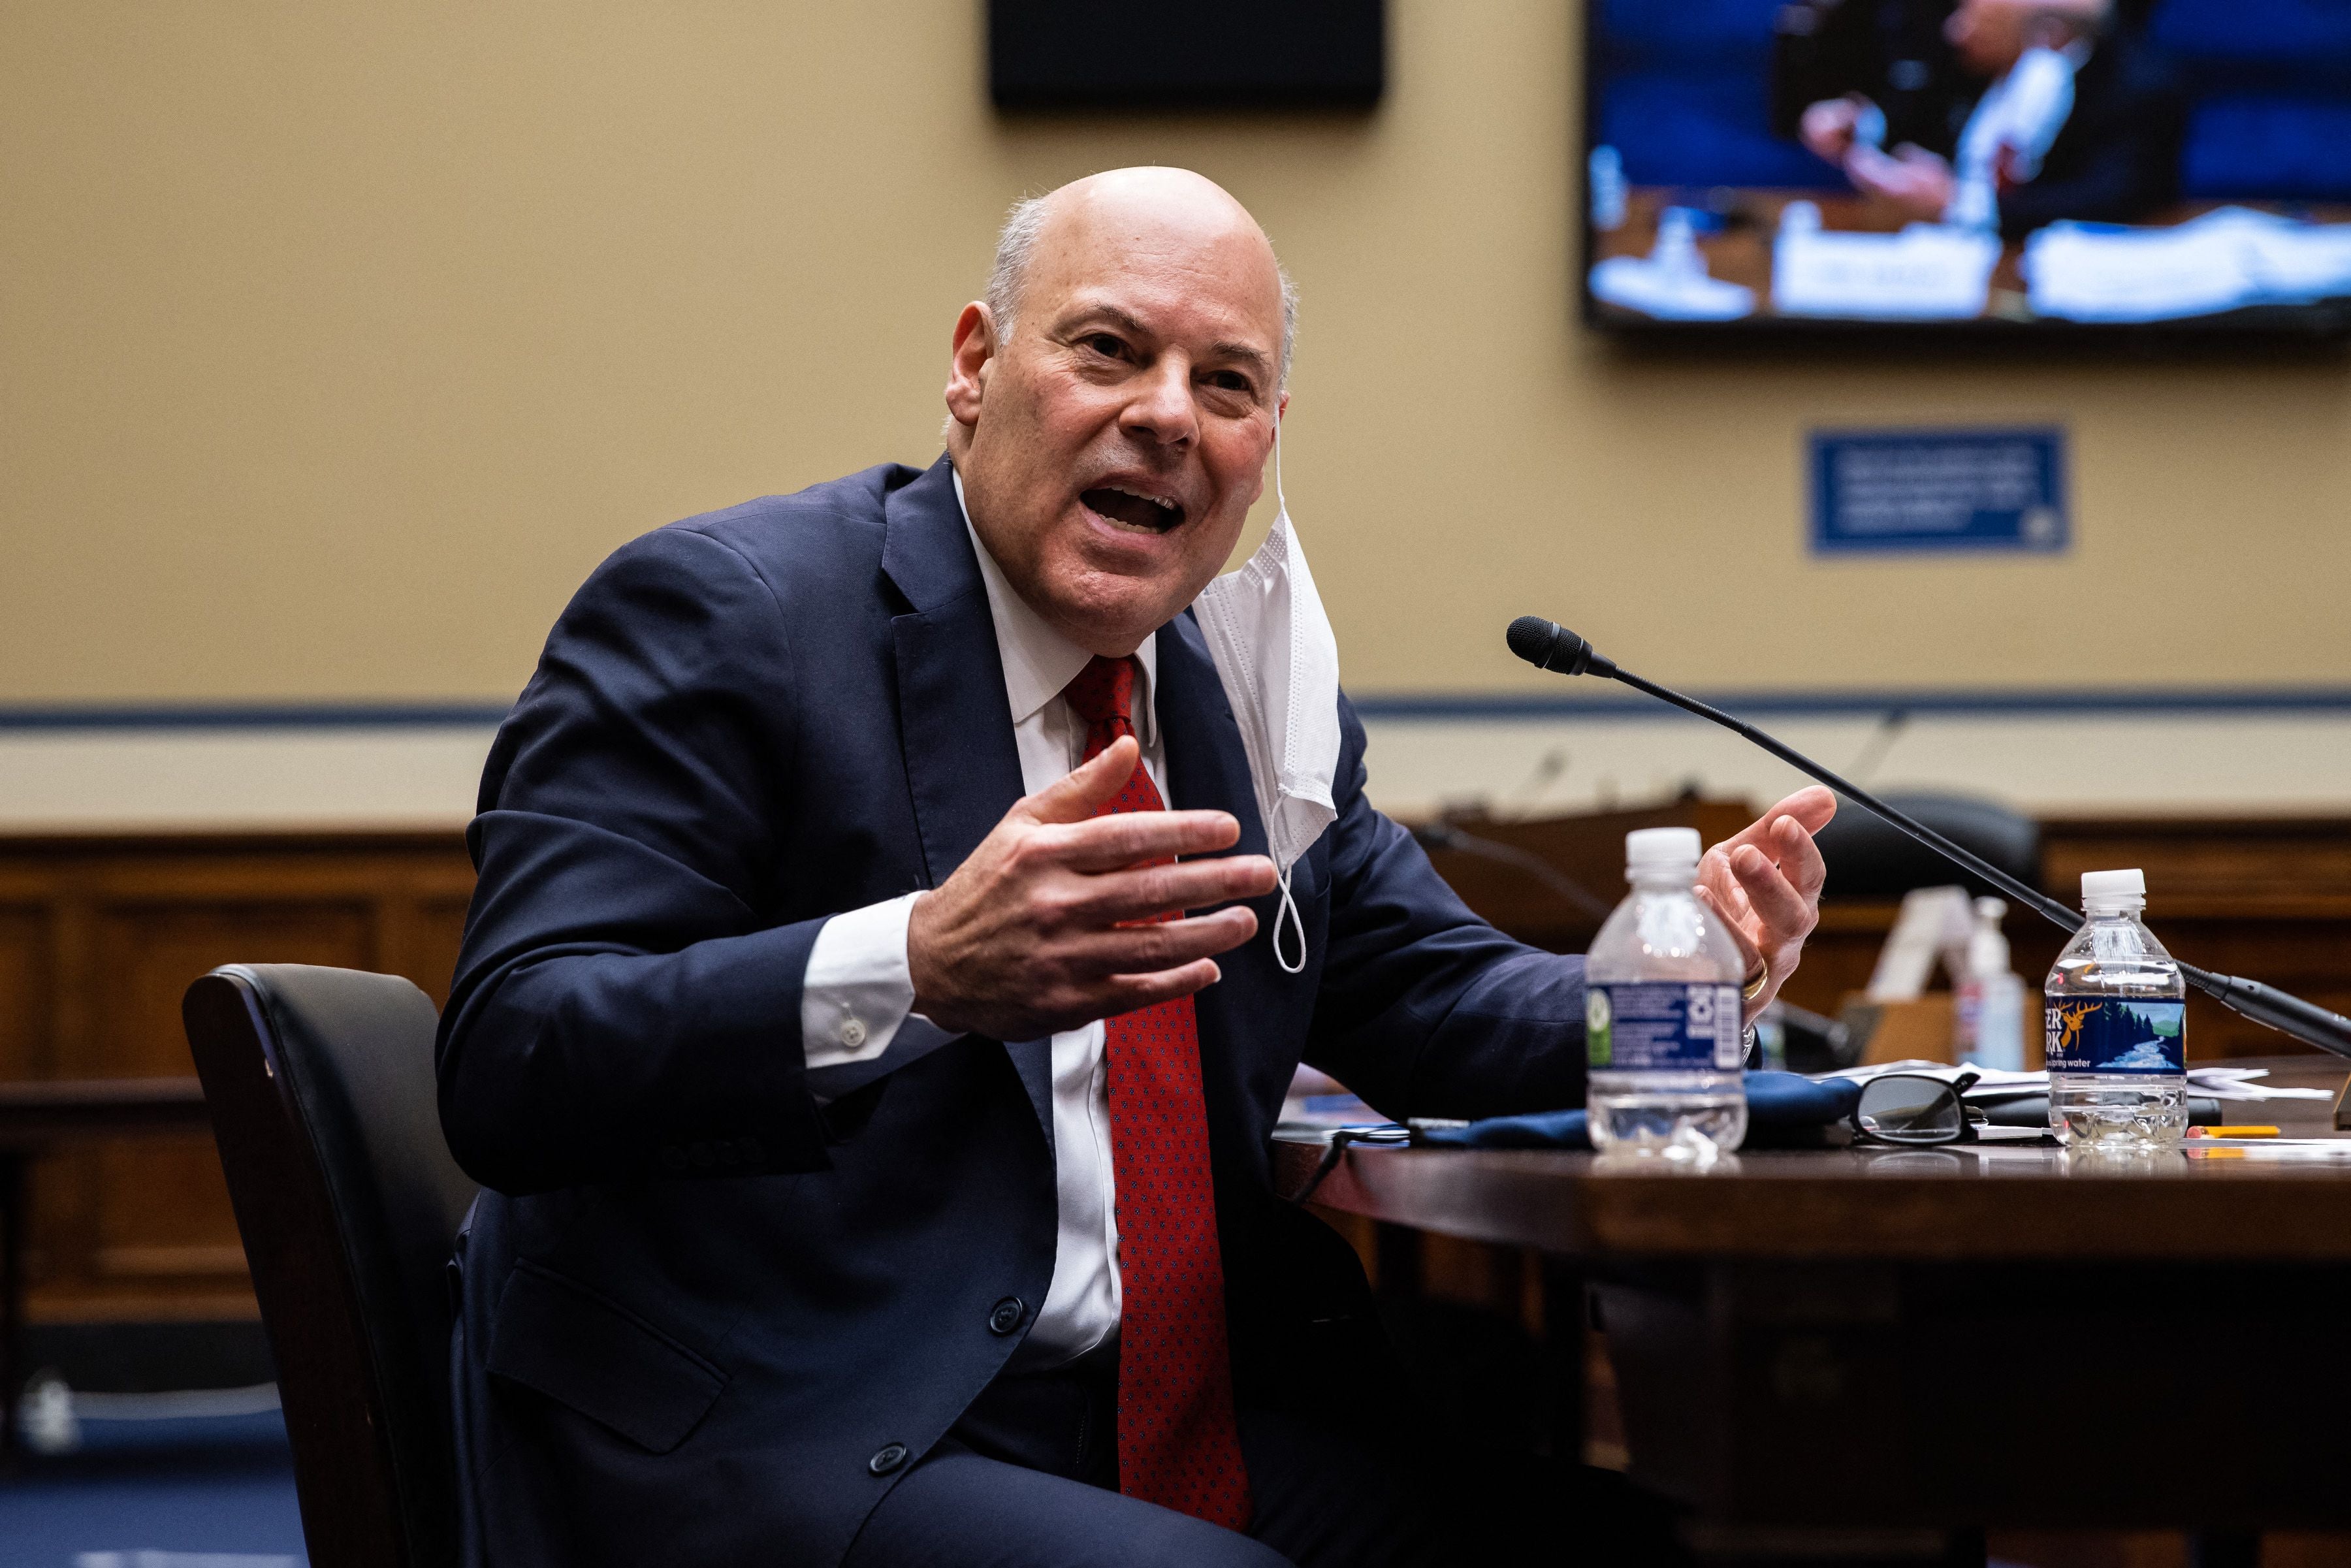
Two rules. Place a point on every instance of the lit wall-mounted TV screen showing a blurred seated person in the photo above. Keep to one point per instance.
(1969, 166)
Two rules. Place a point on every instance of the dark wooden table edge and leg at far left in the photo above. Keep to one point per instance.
(36, 1118)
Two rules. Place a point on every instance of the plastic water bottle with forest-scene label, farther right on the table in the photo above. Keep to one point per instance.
(2117, 1026)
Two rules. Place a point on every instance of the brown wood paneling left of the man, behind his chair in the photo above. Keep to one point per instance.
(98, 944)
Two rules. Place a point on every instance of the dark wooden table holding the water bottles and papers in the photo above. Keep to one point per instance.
(2016, 1339)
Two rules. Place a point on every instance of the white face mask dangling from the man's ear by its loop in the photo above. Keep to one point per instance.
(1275, 652)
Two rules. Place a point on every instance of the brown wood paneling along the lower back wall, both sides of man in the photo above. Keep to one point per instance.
(102, 934)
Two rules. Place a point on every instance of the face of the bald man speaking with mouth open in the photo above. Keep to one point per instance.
(1113, 448)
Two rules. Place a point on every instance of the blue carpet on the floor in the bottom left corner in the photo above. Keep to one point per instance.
(159, 1494)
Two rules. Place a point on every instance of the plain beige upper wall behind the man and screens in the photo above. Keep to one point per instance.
(340, 342)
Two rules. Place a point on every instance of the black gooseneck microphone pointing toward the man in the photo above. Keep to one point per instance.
(1555, 648)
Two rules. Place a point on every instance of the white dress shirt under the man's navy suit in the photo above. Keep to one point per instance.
(857, 1003)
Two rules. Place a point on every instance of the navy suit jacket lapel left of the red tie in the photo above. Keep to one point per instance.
(956, 725)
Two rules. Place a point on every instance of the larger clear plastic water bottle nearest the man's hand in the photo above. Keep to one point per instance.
(1663, 1014)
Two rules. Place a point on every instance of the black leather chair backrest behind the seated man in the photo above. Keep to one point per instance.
(323, 1104)
